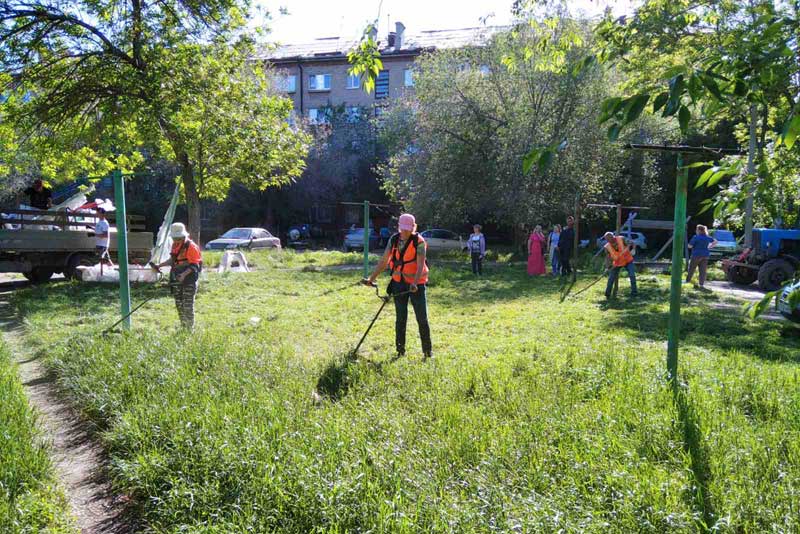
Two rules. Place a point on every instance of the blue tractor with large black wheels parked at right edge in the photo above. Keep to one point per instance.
(772, 259)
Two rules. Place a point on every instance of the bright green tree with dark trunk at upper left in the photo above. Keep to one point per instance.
(108, 77)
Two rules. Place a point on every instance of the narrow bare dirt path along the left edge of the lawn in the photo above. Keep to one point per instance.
(76, 454)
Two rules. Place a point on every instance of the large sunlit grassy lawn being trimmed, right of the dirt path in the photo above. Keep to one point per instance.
(534, 414)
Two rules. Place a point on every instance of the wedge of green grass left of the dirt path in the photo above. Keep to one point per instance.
(29, 500)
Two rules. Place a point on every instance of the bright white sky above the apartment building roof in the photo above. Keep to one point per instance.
(310, 19)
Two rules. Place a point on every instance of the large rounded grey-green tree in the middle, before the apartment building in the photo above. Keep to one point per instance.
(457, 144)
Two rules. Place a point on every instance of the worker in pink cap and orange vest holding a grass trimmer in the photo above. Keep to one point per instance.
(405, 256)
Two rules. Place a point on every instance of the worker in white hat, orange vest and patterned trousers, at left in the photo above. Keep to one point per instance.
(186, 262)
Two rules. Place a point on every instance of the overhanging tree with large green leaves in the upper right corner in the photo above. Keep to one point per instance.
(704, 61)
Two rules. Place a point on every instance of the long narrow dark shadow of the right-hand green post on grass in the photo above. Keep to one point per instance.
(698, 494)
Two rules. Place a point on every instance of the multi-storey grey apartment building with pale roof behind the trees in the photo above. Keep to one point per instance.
(315, 74)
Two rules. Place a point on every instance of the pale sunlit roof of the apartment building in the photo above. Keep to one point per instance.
(413, 43)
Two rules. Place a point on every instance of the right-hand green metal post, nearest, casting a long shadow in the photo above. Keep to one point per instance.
(677, 270)
